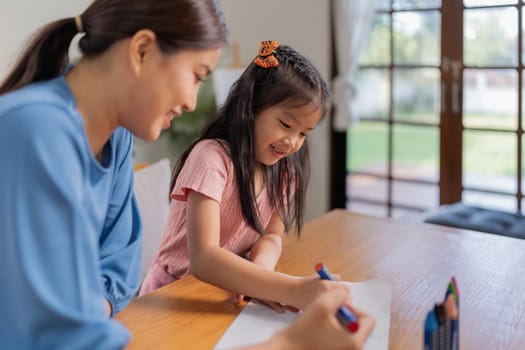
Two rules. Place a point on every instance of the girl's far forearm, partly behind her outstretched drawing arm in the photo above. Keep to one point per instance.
(266, 251)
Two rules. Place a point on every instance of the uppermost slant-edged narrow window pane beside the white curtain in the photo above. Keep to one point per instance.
(377, 48)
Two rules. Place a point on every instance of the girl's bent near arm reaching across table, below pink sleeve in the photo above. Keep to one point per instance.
(213, 264)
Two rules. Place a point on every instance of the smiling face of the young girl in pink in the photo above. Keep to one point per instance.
(281, 130)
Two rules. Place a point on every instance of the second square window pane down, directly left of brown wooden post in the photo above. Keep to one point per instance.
(416, 94)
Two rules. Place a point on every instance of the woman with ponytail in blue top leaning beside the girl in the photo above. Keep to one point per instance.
(70, 227)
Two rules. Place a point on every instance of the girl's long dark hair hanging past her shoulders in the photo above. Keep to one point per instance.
(295, 82)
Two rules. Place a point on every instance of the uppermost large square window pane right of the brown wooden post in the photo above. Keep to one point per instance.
(491, 37)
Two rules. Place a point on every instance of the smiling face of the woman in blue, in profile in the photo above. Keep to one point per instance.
(166, 86)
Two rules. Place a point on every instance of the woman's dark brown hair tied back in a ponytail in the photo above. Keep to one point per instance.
(177, 24)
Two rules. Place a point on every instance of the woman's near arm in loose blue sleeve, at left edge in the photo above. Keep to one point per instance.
(49, 257)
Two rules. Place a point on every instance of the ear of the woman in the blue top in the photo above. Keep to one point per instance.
(142, 47)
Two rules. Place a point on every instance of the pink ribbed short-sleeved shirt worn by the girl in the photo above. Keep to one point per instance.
(209, 171)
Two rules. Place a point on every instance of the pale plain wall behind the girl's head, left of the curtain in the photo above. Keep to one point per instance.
(304, 25)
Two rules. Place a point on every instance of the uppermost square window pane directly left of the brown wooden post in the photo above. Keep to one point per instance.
(417, 37)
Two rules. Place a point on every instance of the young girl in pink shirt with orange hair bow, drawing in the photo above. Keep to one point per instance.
(242, 184)
